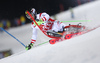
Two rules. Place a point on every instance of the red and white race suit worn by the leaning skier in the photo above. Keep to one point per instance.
(50, 24)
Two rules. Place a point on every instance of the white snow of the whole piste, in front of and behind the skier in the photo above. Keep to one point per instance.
(80, 49)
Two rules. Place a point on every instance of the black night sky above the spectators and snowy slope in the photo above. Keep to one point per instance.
(11, 9)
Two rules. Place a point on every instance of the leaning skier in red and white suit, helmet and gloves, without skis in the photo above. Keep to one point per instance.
(45, 22)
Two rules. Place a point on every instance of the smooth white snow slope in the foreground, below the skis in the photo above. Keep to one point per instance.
(81, 49)
